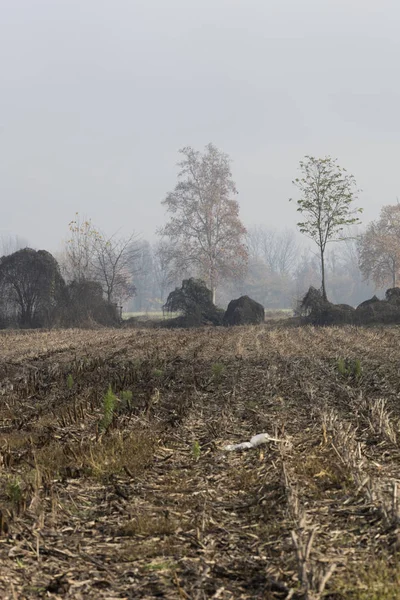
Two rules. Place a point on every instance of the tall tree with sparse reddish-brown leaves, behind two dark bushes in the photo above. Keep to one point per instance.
(205, 232)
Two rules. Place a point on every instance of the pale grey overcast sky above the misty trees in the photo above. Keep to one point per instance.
(97, 96)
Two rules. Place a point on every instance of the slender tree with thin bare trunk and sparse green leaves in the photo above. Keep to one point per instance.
(327, 192)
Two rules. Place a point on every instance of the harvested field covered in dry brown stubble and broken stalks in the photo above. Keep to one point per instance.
(130, 494)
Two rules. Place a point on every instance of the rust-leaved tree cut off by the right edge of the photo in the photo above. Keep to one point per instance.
(379, 248)
